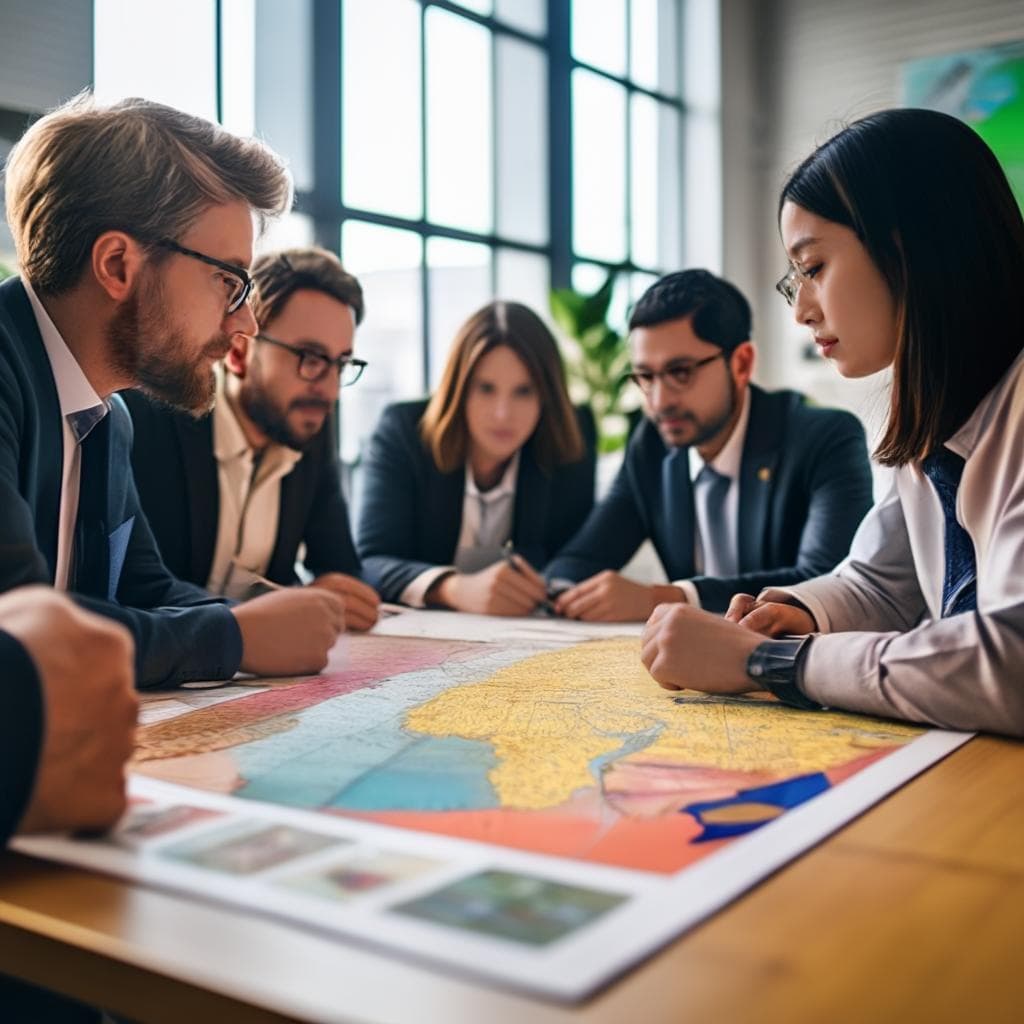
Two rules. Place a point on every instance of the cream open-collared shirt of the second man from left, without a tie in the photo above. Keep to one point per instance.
(250, 502)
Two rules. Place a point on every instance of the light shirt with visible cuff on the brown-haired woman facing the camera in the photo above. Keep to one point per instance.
(487, 525)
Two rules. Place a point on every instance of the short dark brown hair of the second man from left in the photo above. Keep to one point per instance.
(277, 277)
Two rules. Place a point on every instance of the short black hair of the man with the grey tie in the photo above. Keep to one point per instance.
(721, 315)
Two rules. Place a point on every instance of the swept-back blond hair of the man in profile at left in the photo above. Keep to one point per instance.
(136, 166)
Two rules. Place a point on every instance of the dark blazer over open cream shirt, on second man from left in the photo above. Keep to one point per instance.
(177, 476)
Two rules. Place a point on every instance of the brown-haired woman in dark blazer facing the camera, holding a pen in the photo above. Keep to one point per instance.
(466, 493)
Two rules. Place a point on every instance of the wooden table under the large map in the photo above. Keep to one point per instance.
(914, 913)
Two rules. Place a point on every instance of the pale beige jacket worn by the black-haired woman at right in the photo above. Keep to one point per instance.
(886, 651)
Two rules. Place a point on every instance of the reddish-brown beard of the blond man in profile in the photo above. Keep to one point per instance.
(146, 349)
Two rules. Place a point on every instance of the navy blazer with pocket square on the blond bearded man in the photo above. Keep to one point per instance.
(181, 632)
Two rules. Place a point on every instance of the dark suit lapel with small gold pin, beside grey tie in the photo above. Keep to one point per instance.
(757, 478)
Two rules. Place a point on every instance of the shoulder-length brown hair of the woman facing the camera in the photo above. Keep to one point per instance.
(557, 440)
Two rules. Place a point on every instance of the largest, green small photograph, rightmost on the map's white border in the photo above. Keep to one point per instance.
(520, 908)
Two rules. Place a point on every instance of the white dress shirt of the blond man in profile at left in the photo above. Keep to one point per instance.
(75, 395)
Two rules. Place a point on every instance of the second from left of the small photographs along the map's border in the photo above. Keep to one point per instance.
(249, 847)
